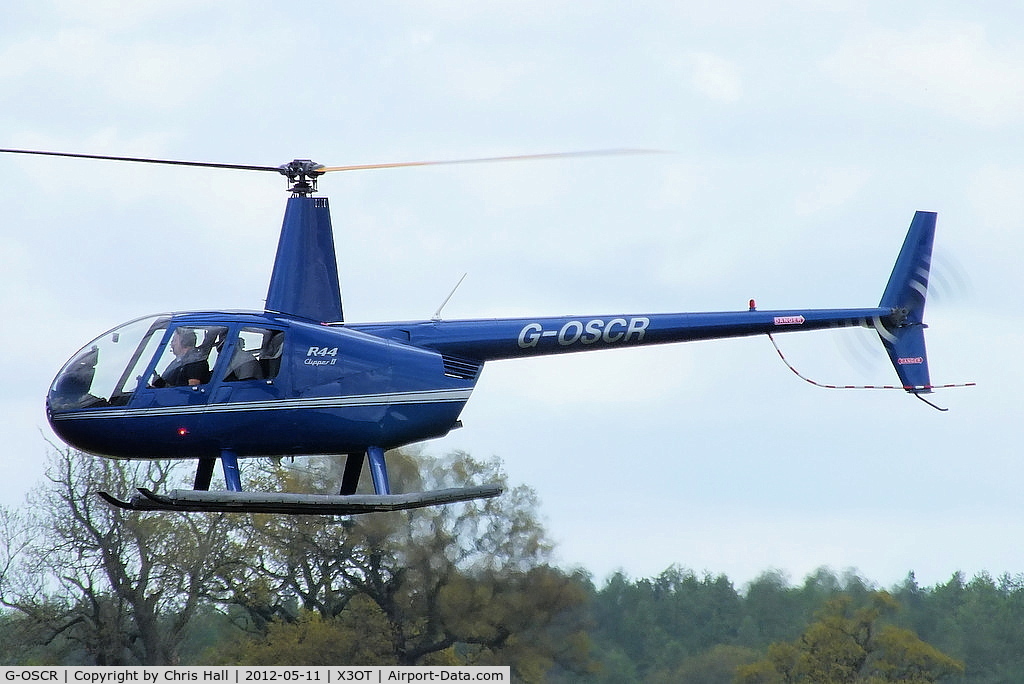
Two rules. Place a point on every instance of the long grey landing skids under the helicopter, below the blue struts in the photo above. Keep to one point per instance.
(295, 504)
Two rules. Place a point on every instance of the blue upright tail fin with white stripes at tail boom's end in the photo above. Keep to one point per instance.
(903, 332)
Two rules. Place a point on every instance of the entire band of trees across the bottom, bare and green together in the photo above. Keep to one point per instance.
(470, 584)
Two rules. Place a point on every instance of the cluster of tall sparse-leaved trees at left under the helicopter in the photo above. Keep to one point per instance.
(467, 583)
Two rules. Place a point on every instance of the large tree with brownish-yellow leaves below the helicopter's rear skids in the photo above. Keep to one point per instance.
(466, 583)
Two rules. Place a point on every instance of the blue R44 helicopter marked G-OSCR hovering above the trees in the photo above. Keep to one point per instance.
(297, 379)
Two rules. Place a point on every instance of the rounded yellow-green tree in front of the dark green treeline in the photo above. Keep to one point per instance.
(850, 645)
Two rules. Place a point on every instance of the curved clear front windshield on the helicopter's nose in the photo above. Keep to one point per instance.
(108, 370)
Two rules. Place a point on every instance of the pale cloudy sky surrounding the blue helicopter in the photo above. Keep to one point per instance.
(798, 140)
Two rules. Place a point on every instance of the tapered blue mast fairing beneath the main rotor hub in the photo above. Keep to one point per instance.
(305, 282)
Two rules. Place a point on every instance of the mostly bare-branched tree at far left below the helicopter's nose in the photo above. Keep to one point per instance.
(123, 586)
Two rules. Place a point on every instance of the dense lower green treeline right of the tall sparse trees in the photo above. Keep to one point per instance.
(684, 627)
